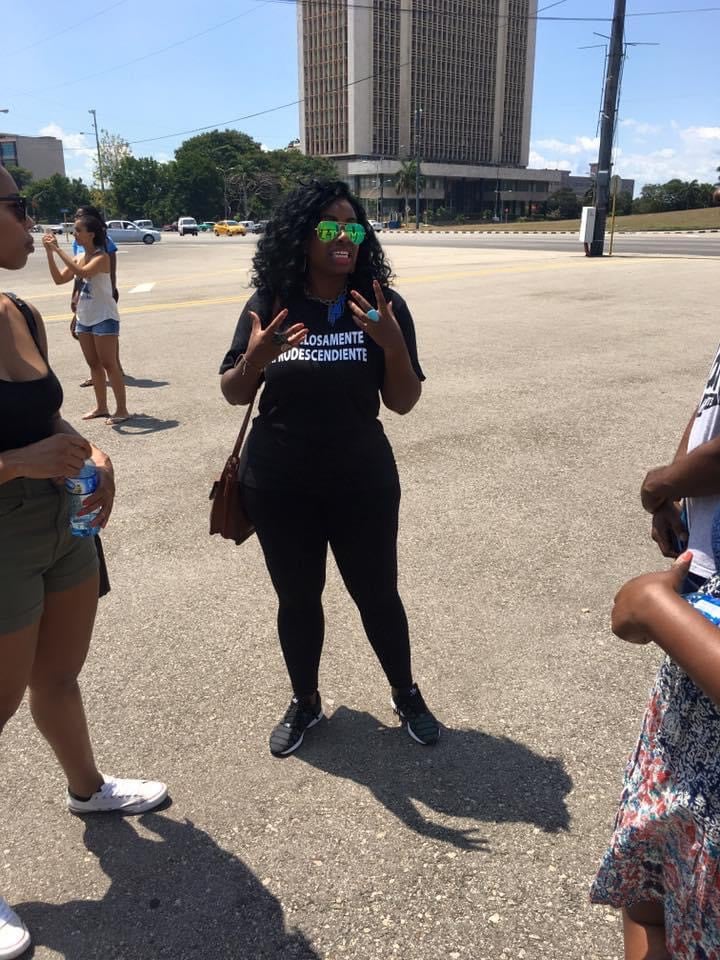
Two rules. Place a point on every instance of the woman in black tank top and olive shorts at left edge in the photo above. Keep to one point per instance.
(48, 578)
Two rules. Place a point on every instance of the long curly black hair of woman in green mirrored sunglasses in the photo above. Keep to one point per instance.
(279, 264)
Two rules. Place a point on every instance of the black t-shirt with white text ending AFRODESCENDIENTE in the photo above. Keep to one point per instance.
(317, 423)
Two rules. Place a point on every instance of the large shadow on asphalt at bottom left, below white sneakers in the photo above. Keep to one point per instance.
(176, 895)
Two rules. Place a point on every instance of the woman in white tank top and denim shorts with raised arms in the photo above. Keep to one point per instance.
(98, 321)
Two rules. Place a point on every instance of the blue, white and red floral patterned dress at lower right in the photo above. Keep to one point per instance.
(666, 844)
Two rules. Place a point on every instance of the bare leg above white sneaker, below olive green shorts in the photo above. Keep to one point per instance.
(55, 699)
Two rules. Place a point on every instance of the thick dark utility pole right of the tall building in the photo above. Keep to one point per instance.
(607, 129)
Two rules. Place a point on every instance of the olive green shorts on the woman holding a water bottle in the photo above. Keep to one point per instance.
(38, 554)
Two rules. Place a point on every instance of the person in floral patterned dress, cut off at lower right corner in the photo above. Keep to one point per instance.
(663, 864)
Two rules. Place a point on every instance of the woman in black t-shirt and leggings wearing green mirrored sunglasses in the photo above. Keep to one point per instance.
(328, 338)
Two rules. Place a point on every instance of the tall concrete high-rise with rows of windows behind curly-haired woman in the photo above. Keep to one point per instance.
(445, 81)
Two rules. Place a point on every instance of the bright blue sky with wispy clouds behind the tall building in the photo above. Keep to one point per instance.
(153, 68)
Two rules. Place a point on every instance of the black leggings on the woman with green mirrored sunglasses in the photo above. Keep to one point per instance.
(361, 528)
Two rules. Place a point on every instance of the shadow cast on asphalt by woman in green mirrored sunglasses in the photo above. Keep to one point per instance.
(469, 774)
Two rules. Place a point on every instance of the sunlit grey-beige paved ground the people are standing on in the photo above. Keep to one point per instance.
(553, 383)
